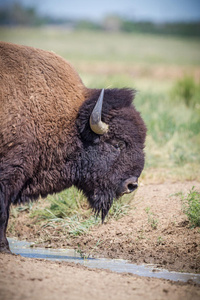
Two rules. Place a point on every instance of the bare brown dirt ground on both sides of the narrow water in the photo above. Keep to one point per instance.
(155, 231)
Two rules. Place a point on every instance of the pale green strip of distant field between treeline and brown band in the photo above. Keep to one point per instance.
(97, 46)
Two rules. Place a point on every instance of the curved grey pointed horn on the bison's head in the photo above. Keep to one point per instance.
(96, 124)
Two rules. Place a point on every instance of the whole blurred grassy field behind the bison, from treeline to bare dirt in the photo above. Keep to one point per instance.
(164, 70)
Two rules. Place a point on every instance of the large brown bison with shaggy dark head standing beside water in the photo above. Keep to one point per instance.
(55, 133)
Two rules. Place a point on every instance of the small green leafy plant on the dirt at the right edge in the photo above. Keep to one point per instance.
(191, 206)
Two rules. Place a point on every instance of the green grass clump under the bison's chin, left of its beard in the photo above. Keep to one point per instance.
(67, 209)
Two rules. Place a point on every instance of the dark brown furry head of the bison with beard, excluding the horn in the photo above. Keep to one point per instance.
(109, 164)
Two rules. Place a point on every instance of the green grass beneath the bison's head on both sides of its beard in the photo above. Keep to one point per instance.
(70, 210)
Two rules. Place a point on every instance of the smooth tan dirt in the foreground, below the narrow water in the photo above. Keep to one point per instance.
(25, 278)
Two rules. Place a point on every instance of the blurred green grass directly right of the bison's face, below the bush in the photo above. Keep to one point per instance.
(173, 131)
